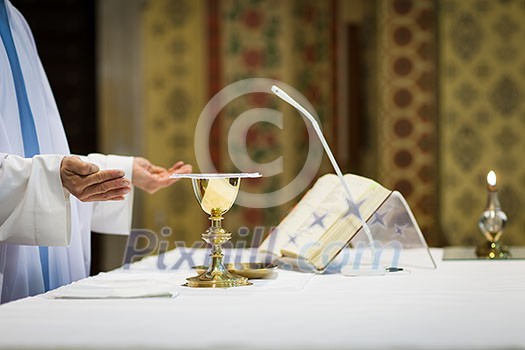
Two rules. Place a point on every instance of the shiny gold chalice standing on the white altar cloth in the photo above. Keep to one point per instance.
(216, 196)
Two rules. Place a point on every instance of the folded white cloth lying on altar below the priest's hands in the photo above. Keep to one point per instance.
(113, 285)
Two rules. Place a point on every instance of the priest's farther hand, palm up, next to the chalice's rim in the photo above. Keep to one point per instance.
(151, 178)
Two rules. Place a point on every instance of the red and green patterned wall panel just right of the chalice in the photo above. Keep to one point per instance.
(252, 45)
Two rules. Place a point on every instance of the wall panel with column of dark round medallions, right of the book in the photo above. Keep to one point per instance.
(407, 114)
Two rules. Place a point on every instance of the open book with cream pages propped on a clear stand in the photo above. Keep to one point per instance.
(325, 221)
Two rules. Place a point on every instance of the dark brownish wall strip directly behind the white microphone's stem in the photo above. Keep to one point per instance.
(315, 75)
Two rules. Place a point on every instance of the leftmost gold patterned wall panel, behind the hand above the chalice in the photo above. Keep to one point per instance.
(174, 59)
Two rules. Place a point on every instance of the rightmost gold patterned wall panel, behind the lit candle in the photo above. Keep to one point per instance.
(482, 89)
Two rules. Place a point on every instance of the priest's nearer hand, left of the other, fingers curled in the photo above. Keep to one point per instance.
(88, 183)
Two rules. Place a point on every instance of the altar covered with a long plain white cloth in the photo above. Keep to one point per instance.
(461, 304)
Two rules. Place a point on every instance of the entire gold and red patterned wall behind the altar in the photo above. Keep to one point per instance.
(192, 49)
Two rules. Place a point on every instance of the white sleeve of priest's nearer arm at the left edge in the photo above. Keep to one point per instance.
(34, 207)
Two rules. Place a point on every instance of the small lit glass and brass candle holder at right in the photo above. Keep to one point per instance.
(491, 224)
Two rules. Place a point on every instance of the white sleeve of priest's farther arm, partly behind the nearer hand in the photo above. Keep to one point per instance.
(113, 216)
